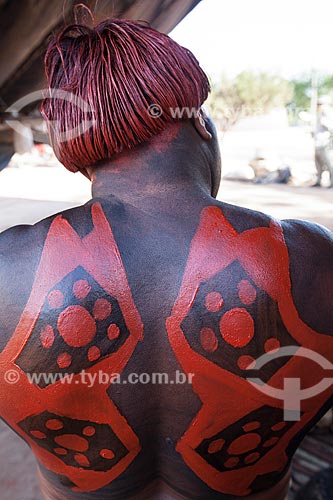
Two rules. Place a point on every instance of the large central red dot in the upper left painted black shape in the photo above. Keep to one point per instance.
(76, 326)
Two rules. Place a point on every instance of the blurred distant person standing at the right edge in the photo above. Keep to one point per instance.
(322, 139)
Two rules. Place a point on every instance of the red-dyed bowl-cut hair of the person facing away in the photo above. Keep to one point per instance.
(118, 68)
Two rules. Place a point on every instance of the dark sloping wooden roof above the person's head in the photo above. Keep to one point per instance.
(26, 42)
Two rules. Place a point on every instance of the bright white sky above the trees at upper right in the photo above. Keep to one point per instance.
(288, 37)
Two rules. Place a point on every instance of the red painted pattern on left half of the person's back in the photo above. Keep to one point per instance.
(90, 408)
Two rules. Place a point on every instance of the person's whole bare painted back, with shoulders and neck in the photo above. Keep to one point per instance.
(155, 275)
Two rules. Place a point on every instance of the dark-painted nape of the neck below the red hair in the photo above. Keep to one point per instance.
(166, 173)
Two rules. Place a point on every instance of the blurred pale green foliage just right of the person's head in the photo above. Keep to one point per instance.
(248, 94)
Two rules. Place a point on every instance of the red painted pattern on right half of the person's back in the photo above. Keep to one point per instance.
(226, 397)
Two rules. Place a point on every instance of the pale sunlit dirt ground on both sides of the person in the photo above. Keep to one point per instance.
(57, 191)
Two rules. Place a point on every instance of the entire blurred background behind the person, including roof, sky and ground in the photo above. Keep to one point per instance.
(271, 74)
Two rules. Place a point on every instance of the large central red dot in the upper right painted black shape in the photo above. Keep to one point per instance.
(237, 327)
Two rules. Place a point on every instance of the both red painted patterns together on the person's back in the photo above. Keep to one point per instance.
(63, 435)
